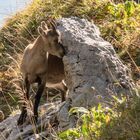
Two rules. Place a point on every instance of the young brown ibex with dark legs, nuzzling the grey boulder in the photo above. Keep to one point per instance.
(42, 63)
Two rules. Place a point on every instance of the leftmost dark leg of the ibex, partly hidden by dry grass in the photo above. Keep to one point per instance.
(23, 114)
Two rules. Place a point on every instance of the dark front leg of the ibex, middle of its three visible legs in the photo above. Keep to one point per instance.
(41, 86)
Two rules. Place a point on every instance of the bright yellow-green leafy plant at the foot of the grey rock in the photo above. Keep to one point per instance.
(89, 124)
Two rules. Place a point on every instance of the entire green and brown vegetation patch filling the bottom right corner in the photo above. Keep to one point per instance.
(121, 122)
